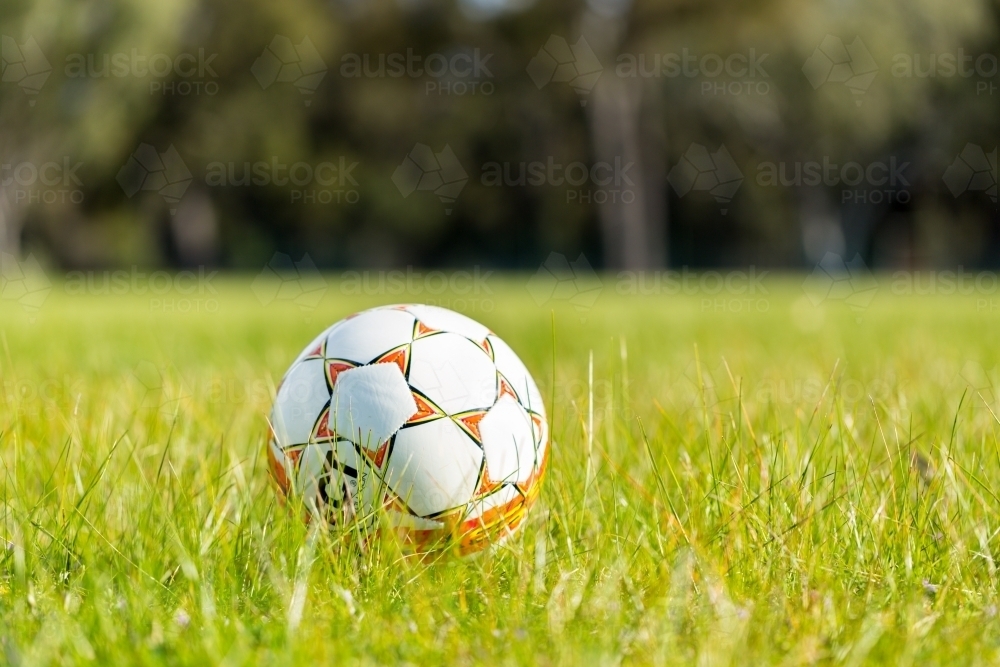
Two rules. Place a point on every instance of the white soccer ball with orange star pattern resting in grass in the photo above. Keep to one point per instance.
(412, 418)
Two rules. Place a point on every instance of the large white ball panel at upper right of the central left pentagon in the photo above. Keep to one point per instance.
(455, 373)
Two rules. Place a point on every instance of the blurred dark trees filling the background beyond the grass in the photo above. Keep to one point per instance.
(95, 108)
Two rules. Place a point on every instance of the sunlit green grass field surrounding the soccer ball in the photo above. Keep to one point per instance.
(771, 482)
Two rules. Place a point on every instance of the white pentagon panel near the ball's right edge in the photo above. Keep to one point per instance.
(508, 442)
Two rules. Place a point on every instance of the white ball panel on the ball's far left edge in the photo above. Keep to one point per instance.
(300, 400)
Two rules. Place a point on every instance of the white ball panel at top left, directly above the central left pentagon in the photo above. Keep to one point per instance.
(369, 335)
